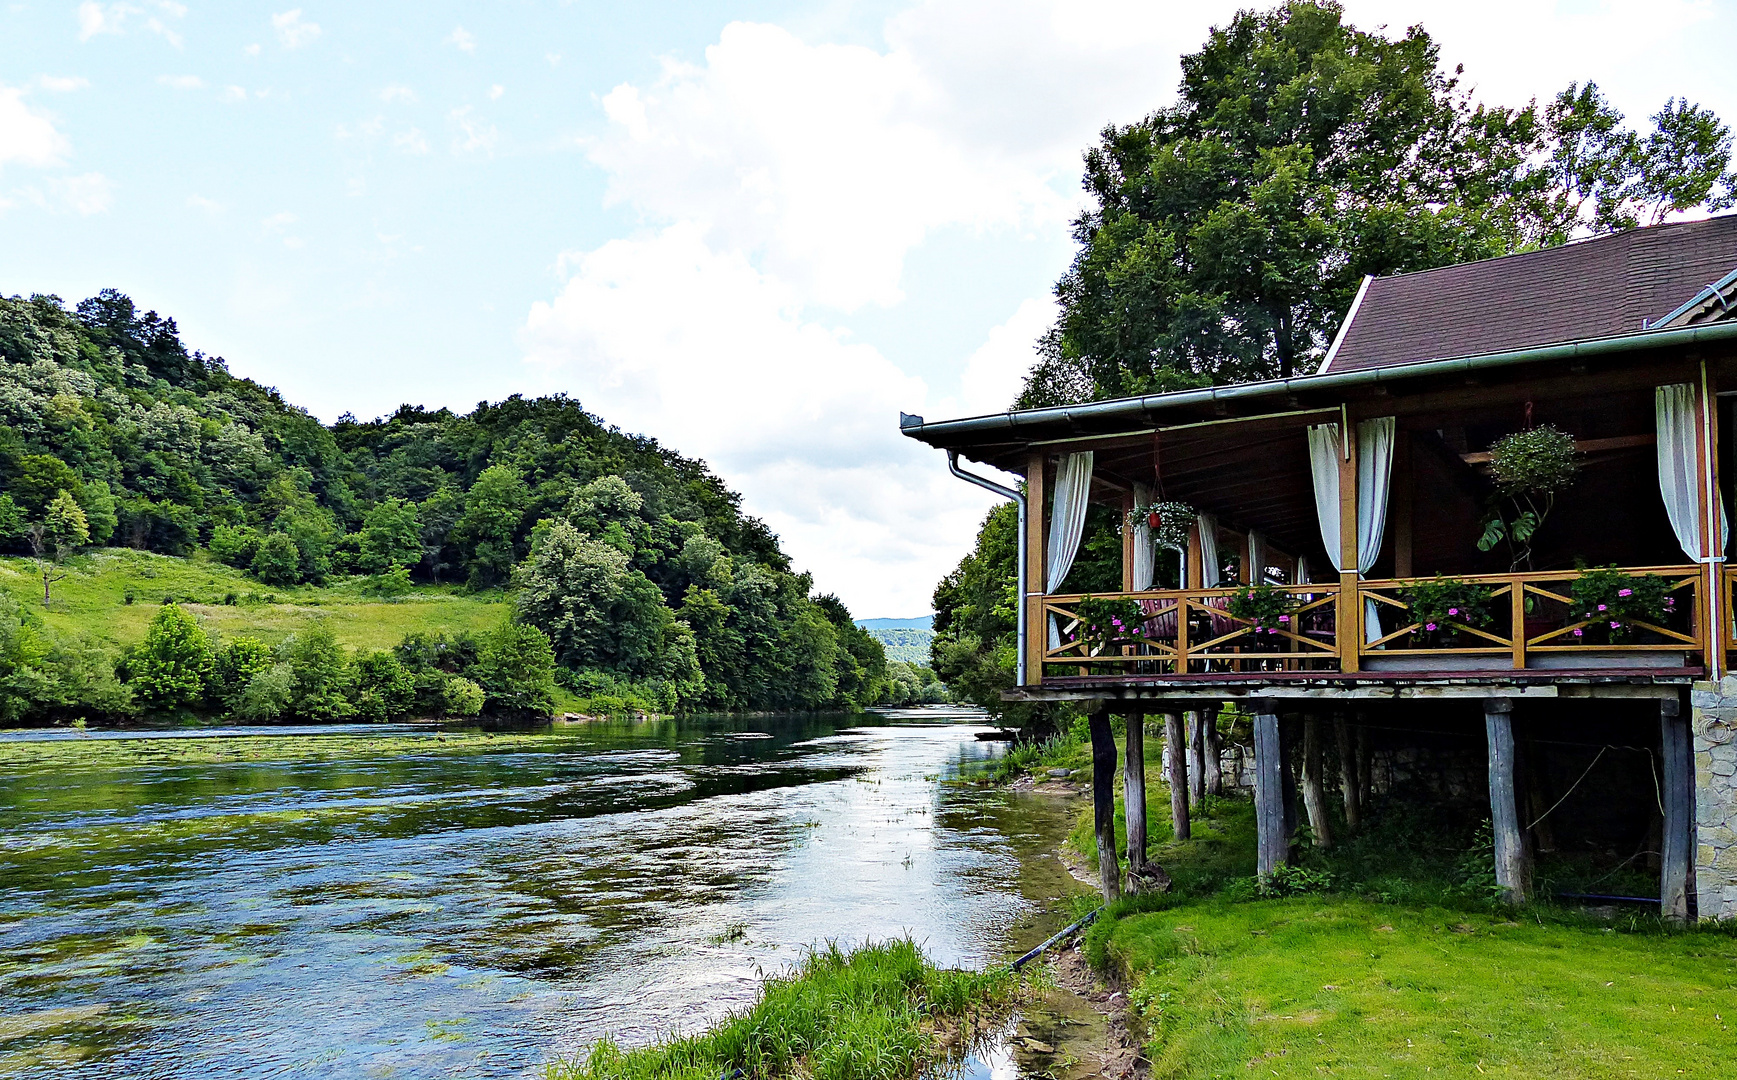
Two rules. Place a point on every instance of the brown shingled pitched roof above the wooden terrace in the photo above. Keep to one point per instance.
(1604, 287)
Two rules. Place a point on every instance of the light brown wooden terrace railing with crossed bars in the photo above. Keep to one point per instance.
(1529, 622)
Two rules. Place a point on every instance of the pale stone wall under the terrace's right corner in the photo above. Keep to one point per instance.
(1715, 728)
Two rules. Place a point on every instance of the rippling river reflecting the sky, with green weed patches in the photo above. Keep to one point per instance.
(390, 902)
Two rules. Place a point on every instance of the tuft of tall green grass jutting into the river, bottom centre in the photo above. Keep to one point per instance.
(880, 1013)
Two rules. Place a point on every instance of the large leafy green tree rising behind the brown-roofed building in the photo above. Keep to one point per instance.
(1227, 234)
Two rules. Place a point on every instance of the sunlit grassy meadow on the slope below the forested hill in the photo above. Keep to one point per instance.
(93, 602)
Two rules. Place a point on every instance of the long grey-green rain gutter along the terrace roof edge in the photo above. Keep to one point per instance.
(1344, 381)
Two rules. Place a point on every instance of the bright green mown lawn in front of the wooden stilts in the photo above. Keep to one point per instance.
(1389, 959)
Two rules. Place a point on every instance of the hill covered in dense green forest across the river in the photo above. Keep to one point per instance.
(635, 562)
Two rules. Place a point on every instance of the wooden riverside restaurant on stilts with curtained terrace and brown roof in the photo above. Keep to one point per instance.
(1359, 558)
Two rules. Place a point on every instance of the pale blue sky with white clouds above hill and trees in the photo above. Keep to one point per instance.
(751, 230)
